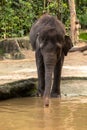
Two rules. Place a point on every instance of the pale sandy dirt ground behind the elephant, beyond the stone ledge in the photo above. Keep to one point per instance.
(75, 65)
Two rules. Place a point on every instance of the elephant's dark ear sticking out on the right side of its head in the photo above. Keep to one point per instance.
(68, 45)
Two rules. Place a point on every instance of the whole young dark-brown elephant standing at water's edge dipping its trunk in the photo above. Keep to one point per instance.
(48, 39)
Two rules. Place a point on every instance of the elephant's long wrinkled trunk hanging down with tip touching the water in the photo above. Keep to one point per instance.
(49, 68)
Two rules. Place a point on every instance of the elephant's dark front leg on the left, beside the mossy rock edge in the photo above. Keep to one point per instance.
(41, 74)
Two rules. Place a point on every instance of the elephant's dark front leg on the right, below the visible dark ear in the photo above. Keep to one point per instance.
(57, 79)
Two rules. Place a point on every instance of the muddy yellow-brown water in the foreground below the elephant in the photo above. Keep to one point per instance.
(29, 114)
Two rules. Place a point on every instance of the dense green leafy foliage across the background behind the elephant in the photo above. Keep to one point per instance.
(17, 16)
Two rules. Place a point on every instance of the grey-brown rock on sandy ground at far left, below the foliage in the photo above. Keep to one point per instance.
(9, 49)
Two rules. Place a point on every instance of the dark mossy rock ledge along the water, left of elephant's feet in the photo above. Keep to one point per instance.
(22, 88)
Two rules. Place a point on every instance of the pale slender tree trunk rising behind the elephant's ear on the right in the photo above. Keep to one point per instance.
(72, 19)
